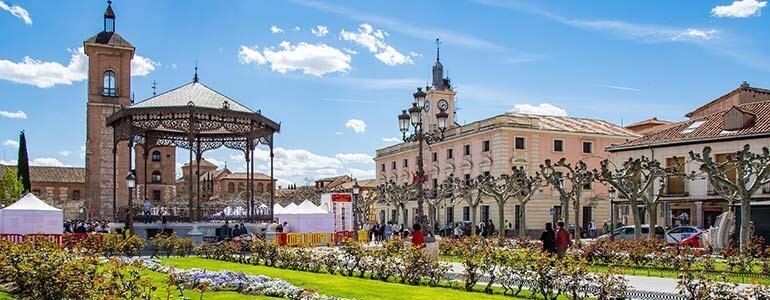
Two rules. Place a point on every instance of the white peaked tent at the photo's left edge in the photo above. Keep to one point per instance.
(31, 215)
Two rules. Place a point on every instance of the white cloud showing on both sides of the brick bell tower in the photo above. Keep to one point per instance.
(46, 74)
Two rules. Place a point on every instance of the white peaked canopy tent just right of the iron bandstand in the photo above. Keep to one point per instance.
(306, 217)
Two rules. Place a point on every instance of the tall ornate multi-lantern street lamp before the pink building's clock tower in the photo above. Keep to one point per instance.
(421, 136)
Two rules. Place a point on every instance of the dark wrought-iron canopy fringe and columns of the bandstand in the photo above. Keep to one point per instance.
(197, 129)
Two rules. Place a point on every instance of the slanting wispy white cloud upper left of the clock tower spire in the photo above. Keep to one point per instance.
(374, 41)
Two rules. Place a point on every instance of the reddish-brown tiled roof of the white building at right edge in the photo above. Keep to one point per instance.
(711, 129)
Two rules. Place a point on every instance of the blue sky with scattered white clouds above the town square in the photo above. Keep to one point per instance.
(622, 61)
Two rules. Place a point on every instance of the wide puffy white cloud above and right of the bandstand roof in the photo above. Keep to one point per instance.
(312, 59)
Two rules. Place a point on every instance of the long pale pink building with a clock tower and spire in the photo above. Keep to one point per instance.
(493, 146)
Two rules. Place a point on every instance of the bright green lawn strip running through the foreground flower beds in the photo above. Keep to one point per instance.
(337, 285)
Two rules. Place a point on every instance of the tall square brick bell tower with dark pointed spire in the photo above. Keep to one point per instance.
(109, 88)
